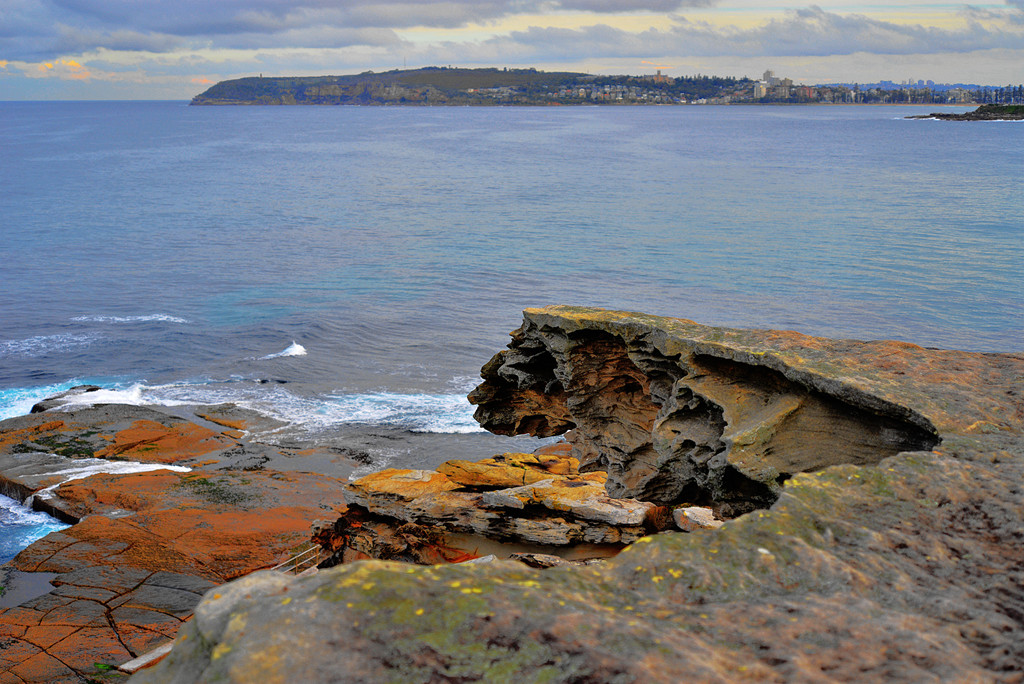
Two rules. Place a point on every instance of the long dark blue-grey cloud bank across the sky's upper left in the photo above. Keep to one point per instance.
(48, 29)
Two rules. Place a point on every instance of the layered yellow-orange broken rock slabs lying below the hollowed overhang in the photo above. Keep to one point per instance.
(503, 505)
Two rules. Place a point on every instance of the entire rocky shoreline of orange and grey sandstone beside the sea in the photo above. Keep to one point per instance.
(870, 492)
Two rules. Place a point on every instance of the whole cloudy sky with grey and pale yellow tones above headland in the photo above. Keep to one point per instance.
(175, 50)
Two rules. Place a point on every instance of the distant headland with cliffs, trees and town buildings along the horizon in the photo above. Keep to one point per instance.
(456, 87)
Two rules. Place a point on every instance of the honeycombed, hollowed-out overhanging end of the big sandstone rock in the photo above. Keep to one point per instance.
(680, 413)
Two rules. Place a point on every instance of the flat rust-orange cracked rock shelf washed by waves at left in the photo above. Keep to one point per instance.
(146, 545)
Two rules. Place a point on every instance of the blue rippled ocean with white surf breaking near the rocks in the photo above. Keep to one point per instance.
(349, 270)
